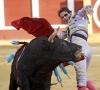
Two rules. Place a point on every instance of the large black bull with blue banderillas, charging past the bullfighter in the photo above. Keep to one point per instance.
(33, 65)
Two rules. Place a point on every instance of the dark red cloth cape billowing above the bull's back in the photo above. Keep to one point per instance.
(35, 26)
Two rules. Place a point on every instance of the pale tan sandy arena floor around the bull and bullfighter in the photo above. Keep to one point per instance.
(93, 72)
